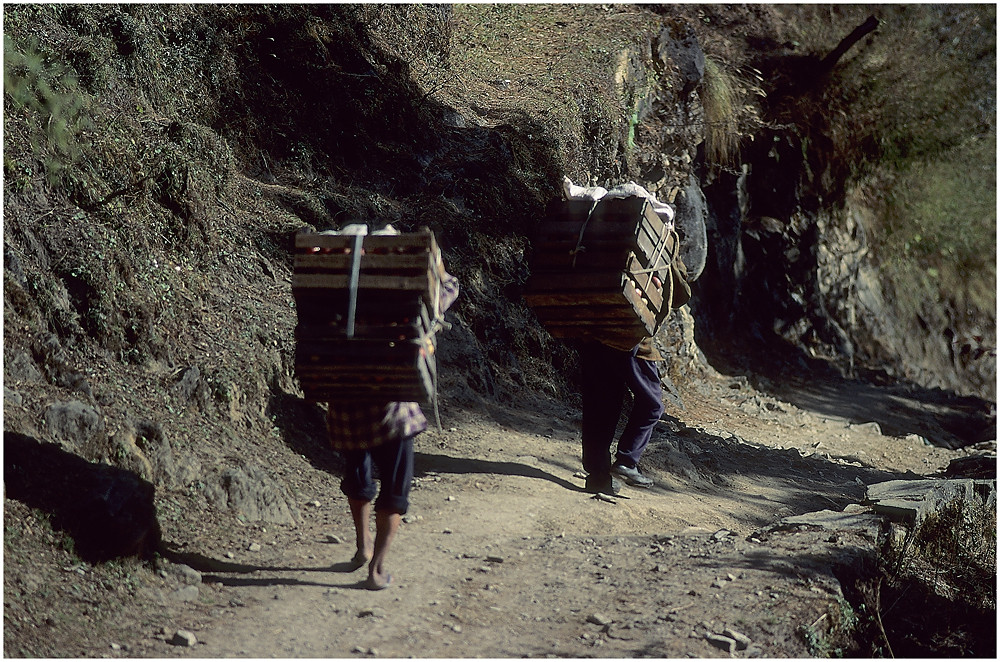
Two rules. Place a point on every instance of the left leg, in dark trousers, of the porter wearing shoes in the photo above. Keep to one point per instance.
(603, 390)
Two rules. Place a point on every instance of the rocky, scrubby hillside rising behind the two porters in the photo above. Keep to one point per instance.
(159, 159)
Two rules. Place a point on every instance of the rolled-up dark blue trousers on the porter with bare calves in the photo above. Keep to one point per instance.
(394, 461)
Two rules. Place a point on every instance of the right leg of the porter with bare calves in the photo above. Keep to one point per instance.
(395, 465)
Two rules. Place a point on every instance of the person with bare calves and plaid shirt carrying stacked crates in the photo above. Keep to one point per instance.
(379, 436)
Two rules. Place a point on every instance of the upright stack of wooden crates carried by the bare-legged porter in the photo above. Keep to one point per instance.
(376, 344)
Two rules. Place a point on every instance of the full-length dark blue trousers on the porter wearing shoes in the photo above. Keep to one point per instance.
(607, 373)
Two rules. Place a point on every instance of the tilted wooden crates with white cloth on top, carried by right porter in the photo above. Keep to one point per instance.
(592, 270)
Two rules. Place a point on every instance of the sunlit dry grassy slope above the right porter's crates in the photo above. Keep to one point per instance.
(546, 62)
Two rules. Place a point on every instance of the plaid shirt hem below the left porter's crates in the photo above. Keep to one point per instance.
(362, 425)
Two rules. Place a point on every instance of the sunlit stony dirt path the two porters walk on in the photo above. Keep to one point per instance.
(504, 555)
